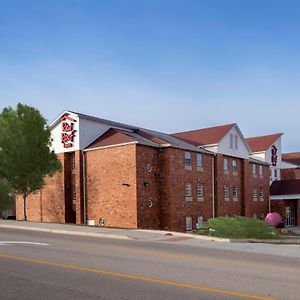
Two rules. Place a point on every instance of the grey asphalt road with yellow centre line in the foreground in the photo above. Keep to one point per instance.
(37, 265)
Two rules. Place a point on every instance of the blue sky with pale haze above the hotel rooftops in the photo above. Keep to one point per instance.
(168, 65)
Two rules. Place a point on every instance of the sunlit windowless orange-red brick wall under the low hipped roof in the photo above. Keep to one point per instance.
(111, 186)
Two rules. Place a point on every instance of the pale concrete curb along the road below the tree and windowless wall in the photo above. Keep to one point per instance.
(77, 233)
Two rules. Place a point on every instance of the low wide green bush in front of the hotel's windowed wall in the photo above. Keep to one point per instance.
(240, 228)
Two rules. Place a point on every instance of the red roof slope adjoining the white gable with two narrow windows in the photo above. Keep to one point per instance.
(205, 136)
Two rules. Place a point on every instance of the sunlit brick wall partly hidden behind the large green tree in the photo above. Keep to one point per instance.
(46, 205)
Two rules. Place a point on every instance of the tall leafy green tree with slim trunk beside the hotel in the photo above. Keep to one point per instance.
(25, 156)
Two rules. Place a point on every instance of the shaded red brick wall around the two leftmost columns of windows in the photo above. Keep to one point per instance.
(173, 176)
